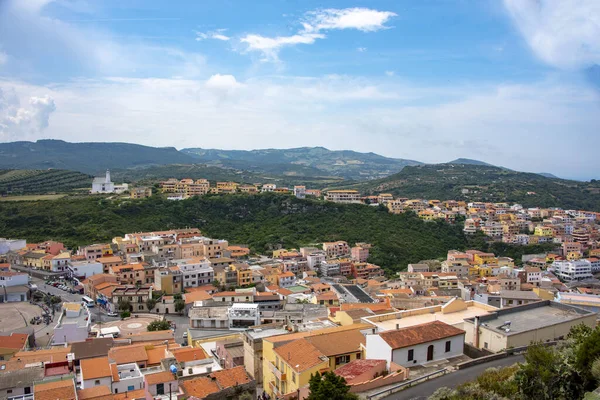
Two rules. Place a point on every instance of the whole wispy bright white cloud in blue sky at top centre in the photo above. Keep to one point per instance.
(314, 23)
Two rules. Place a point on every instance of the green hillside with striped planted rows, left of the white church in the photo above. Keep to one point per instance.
(28, 181)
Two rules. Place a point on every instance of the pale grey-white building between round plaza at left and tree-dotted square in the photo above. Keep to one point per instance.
(73, 324)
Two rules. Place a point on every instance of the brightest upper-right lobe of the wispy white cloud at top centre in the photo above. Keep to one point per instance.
(363, 19)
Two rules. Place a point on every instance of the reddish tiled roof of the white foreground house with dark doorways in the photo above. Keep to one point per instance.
(417, 334)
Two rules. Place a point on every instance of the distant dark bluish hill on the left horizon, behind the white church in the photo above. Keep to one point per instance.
(91, 158)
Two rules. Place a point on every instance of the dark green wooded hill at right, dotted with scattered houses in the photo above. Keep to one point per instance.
(486, 183)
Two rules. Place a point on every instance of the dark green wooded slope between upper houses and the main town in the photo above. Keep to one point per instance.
(263, 221)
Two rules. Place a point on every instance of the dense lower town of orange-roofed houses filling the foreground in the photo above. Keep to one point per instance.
(268, 323)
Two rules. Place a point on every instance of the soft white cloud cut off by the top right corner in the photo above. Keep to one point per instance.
(563, 34)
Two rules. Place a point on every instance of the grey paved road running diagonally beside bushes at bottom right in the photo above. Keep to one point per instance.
(451, 380)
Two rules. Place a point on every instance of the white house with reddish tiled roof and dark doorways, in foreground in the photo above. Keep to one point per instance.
(416, 345)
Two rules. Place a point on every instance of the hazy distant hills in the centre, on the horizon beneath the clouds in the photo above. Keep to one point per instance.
(304, 161)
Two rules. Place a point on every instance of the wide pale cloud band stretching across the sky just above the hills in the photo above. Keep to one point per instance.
(503, 124)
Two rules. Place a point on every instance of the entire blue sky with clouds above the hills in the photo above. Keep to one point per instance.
(514, 83)
